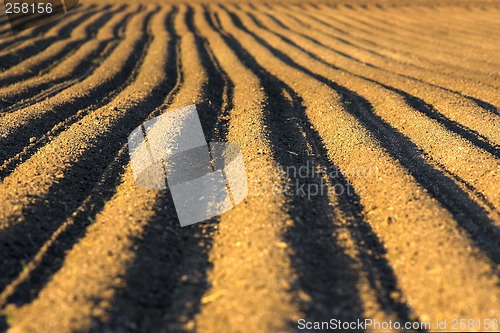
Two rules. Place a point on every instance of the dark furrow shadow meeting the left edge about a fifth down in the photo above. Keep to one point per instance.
(15, 57)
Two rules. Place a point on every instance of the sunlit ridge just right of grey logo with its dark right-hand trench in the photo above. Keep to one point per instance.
(314, 295)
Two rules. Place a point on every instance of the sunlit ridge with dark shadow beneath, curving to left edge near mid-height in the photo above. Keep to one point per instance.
(72, 103)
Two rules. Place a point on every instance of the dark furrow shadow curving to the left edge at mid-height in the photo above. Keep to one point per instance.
(66, 112)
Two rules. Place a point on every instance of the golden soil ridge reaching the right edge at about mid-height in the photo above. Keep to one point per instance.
(432, 137)
